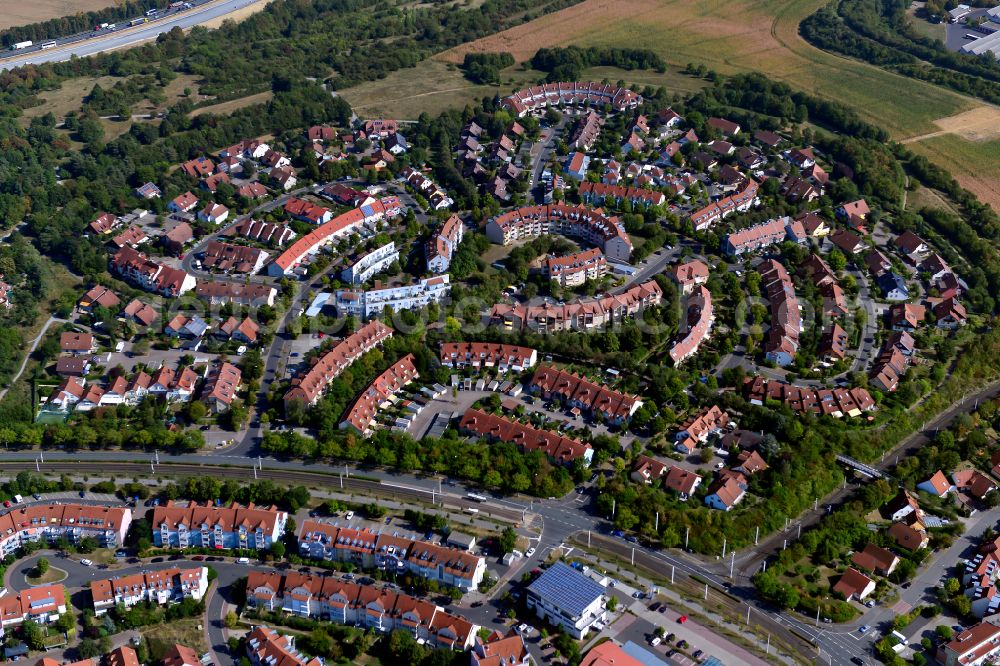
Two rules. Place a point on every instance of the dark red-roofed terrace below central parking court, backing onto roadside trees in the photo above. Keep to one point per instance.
(558, 448)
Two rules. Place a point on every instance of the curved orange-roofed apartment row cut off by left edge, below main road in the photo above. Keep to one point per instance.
(51, 522)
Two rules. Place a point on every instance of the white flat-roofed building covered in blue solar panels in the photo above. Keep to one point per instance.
(568, 599)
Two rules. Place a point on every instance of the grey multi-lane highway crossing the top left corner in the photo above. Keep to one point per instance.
(90, 43)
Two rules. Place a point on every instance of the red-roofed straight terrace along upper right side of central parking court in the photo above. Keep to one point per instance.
(580, 392)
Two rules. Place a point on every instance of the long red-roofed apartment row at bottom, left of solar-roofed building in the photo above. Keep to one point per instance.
(381, 609)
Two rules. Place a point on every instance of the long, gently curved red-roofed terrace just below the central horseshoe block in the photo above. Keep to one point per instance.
(580, 315)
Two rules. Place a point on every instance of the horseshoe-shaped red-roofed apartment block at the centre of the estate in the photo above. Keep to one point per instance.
(598, 229)
